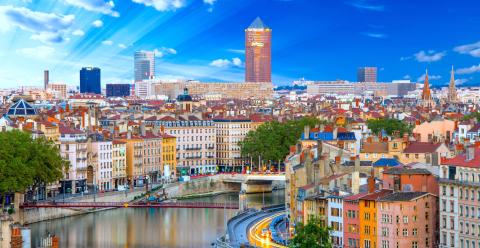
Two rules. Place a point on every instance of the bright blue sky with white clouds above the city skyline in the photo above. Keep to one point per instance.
(204, 39)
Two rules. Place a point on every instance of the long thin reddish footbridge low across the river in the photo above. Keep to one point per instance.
(130, 205)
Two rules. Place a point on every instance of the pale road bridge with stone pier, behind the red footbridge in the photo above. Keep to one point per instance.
(255, 183)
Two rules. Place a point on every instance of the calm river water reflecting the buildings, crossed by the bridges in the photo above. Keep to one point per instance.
(128, 228)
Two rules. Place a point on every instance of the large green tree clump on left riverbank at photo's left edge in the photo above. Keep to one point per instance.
(27, 163)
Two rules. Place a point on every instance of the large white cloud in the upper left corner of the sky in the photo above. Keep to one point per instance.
(46, 27)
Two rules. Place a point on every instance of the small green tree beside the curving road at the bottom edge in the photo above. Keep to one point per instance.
(311, 235)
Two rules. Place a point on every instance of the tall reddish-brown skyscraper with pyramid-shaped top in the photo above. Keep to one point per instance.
(258, 40)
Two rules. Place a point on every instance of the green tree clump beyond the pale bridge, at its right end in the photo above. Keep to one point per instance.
(271, 141)
